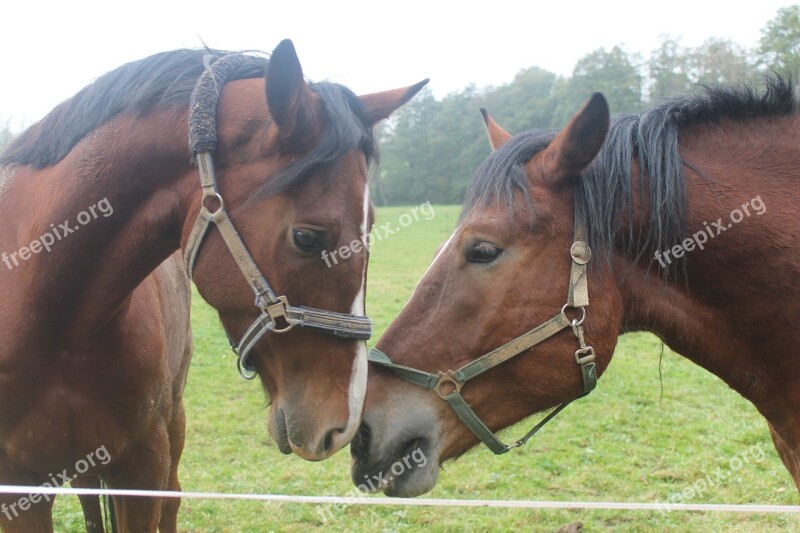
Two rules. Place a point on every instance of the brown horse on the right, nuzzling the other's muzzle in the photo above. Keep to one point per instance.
(688, 209)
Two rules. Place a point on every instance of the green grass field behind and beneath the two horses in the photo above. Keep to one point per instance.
(631, 440)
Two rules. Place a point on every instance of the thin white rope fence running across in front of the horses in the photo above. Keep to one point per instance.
(415, 502)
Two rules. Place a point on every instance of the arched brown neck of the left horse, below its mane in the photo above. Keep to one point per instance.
(139, 168)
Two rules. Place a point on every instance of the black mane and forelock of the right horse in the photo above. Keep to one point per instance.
(604, 193)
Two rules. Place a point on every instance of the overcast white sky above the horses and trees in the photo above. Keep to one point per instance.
(48, 51)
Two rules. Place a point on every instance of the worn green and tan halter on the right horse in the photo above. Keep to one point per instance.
(447, 385)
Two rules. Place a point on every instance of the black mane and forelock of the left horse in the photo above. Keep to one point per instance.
(167, 79)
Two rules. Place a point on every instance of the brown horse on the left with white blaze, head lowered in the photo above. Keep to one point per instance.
(102, 216)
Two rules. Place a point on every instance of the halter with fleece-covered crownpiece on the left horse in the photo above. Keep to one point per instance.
(277, 315)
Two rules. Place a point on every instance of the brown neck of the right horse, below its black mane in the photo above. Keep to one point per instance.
(731, 310)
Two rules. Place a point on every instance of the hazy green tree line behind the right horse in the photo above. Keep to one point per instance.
(431, 147)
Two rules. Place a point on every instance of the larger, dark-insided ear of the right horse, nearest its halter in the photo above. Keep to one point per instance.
(574, 148)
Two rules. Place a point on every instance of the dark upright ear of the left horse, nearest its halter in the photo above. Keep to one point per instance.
(288, 97)
